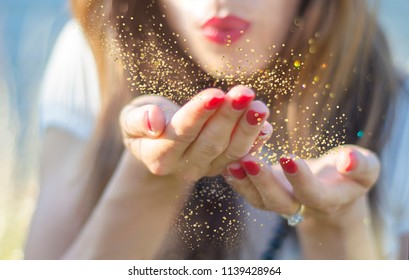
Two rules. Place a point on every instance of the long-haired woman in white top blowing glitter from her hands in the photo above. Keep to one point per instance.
(321, 73)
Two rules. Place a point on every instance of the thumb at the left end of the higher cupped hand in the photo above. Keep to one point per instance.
(142, 121)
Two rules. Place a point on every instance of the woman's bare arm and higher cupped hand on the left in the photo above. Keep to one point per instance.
(118, 226)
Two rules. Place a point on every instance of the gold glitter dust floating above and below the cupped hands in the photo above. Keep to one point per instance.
(153, 63)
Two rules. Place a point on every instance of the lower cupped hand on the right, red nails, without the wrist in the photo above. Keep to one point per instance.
(332, 187)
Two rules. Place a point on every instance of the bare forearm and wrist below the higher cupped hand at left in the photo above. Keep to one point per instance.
(133, 216)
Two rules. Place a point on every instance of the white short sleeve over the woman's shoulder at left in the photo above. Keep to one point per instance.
(69, 96)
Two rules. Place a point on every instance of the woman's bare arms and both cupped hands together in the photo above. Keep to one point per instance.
(337, 217)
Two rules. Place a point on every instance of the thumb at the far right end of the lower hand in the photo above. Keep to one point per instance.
(358, 164)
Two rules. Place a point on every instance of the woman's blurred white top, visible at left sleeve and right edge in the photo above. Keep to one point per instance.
(70, 100)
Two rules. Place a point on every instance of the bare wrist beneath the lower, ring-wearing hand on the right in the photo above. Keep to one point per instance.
(344, 234)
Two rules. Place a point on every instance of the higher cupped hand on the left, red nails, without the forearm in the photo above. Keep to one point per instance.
(199, 139)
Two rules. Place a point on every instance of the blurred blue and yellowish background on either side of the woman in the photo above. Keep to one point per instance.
(28, 30)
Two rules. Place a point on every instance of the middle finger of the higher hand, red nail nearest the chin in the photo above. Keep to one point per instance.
(216, 134)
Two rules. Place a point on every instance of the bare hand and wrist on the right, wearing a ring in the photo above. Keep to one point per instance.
(337, 211)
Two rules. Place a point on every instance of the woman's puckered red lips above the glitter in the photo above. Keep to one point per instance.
(225, 30)
